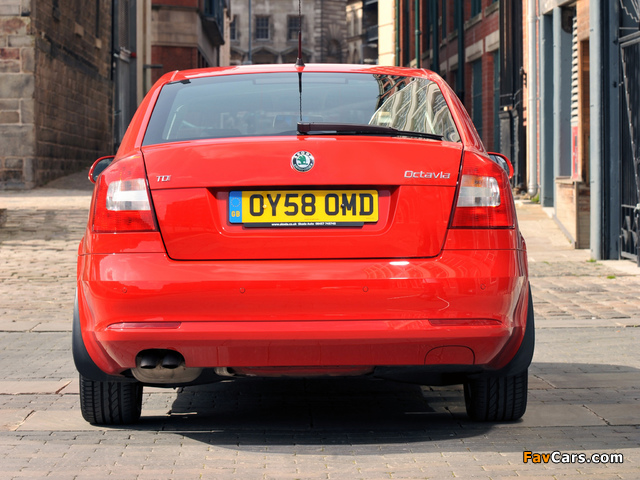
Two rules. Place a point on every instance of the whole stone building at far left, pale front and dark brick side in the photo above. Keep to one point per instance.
(55, 88)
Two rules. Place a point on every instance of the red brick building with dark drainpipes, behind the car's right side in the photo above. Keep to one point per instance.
(476, 46)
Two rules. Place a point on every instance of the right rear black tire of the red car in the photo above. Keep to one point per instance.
(497, 399)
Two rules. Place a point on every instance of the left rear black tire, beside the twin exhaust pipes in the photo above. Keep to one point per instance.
(110, 403)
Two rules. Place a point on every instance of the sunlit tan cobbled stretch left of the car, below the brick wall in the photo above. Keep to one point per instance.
(40, 231)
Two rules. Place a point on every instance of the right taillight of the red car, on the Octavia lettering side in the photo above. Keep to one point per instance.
(484, 197)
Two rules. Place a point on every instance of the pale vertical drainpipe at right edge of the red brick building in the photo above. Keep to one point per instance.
(532, 110)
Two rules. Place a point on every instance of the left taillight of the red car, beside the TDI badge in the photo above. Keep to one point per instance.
(122, 199)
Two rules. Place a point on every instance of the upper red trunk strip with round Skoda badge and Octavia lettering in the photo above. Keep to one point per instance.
(265, 161)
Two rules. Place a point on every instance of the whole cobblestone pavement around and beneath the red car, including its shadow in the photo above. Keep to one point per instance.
(584, 394)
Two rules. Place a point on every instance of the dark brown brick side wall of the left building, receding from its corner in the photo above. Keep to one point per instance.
(73, 102)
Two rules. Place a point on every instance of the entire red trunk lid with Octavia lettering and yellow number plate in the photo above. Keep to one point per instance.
(192, 184)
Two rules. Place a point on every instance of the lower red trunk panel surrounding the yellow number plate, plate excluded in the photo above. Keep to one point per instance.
(194, 226)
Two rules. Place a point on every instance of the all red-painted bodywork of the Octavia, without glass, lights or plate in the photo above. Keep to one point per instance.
(407, 290)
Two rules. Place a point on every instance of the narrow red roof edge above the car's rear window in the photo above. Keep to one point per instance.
(180, 75)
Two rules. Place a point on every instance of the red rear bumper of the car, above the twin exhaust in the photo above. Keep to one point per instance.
(464, 308)
